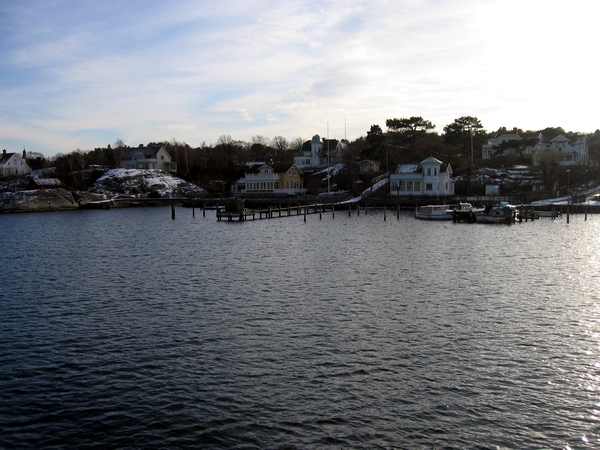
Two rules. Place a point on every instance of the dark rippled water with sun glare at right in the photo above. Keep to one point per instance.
(126, 329)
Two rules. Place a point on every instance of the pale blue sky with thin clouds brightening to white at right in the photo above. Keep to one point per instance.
(82, 74)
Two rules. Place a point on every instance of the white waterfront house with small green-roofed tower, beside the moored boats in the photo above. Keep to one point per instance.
(430, 177)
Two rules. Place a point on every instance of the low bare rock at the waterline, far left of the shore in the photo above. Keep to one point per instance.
(37, 200)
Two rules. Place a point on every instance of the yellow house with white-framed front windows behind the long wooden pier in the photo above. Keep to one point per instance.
(265, 179)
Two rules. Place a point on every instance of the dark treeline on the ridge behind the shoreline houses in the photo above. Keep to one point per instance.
(404, 140)
